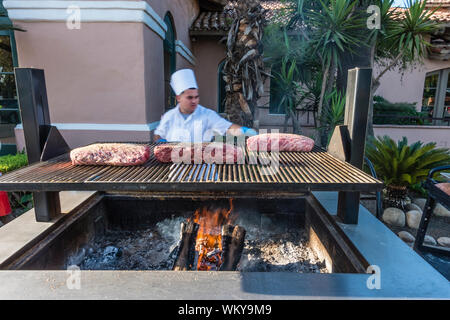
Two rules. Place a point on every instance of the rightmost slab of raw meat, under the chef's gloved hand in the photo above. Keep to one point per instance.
(284, 142)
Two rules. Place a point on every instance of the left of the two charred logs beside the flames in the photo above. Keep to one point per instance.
(186, 249)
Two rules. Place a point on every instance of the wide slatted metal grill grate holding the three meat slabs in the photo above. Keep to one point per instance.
(297, 171)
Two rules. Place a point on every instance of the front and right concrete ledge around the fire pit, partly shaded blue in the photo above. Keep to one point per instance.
(403, 274)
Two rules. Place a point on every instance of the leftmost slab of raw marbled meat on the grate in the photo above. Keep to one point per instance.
(113, 154)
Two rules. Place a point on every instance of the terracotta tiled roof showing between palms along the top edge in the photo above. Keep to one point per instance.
(220, 21)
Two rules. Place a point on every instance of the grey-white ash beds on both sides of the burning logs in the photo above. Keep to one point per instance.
(266, 249)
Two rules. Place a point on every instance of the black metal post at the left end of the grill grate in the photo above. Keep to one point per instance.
(36, 124)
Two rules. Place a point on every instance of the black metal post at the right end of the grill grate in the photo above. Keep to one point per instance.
(356, 117)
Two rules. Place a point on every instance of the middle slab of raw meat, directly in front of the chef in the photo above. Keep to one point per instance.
(213, 152)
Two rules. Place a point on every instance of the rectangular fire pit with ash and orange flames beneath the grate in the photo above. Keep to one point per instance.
(116, 231)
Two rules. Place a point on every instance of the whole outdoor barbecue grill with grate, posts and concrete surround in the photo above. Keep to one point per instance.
(139, 197)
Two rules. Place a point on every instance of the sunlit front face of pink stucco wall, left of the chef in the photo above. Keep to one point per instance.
(91, 76)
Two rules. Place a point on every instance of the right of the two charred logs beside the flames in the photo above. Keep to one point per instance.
(232, 246)
